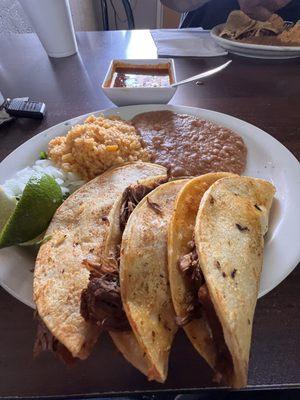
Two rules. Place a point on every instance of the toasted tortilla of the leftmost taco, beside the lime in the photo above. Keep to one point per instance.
(76, 233)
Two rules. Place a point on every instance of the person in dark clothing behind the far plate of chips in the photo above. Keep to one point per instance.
(209, 13)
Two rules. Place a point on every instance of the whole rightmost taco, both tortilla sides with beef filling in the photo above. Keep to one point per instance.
(216, 241)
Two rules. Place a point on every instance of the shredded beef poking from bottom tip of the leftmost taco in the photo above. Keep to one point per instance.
(45, 341)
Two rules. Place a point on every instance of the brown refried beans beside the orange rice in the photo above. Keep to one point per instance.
(190, 146)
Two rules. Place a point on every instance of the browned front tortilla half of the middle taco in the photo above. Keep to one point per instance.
(144, 276)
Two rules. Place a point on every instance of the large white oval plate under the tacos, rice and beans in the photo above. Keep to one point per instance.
(267, 159)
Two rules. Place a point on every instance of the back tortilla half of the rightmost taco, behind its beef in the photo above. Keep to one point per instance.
(181, 232)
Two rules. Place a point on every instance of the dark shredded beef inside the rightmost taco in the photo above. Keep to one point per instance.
(201, 304)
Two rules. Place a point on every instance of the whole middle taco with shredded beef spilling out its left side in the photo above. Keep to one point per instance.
(101, 302)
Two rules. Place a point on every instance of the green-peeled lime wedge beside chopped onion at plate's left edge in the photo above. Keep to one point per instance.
(30, 217)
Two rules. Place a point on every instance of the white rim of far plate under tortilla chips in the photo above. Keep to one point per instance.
(254, 50)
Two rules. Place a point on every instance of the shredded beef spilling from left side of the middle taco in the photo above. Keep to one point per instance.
(101, 301)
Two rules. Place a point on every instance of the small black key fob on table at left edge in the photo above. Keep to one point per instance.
(25, 108)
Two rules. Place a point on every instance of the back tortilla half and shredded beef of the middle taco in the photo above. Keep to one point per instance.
(101, 301)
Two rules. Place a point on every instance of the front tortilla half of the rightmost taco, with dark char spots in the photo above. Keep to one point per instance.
(230, 225)
